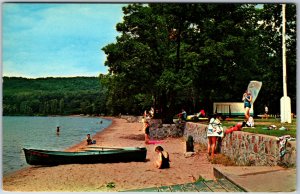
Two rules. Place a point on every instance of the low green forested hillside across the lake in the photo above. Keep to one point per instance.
(53, 96)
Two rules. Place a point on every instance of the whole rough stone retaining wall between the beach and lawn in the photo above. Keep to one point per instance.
(242, 147)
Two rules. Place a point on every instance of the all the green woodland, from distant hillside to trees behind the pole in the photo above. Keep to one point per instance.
(171, 56)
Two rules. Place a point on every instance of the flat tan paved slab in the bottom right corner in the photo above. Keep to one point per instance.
(259, 178)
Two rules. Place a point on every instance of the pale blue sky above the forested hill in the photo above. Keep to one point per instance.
(57, 39)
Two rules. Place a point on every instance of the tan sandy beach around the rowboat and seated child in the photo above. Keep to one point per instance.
(125, 176)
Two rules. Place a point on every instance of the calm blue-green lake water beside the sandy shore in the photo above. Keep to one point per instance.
(40, 133)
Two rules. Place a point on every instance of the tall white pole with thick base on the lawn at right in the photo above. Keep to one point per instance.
(285, 101)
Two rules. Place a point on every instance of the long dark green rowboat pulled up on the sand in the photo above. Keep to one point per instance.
(46, 157)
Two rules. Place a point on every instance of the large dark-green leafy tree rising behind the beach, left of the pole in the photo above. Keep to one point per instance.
(175, 55)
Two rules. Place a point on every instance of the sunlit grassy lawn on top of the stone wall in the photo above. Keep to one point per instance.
(262, 124)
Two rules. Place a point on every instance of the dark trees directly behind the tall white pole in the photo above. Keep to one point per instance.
(270, 41)
